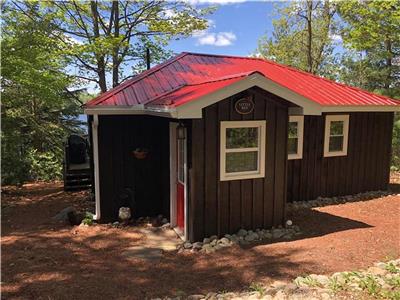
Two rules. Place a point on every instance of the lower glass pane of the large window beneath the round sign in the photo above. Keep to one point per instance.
(241, 161)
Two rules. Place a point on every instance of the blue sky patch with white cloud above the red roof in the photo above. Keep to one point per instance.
(234, 28)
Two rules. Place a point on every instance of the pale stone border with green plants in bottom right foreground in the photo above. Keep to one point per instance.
(378, 282)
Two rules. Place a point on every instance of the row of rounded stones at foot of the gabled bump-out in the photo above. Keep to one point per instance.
(242, 237)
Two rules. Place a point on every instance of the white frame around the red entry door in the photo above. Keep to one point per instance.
(173, 181)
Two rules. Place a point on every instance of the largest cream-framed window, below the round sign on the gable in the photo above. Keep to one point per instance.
(242, 150)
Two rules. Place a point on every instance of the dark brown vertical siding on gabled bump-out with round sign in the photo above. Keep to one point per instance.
(219, 207)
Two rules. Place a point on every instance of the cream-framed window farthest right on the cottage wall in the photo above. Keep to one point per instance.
(336, 135)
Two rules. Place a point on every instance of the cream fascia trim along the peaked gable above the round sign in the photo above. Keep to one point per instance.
(193, 109)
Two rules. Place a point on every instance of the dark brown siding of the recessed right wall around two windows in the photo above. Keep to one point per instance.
(365, 168)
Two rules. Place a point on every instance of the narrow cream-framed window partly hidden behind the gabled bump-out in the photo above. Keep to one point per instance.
(295, 137)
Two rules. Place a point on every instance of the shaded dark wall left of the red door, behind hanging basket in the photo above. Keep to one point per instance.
(148, 178)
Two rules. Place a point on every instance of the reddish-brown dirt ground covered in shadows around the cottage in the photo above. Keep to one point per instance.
(45, 260)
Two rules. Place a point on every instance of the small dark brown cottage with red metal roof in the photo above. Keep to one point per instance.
(218, 143)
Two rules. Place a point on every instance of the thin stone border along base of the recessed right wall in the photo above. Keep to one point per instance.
(325, 201)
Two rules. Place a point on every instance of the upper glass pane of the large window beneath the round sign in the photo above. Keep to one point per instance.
(241, 137)
